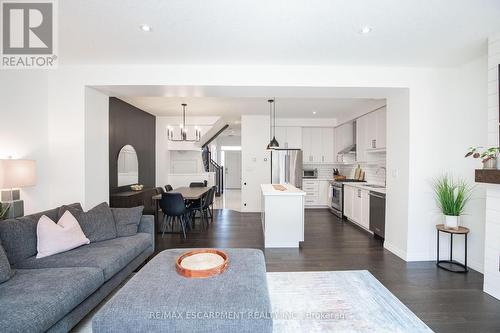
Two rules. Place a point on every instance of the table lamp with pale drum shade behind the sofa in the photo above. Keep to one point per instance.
(15, 174)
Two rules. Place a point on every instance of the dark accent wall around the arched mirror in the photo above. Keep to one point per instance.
(129, 125)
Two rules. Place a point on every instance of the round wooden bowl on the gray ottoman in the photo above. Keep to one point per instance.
(201, 271)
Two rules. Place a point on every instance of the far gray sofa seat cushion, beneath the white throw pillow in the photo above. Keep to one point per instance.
(110, 255)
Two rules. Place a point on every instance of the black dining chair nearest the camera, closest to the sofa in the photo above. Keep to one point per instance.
(173, 207)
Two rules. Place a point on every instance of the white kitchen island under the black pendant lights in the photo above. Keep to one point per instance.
(282, 215)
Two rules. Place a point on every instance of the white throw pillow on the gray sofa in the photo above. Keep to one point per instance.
(53, 238)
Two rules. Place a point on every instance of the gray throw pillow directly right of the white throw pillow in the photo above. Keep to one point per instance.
(97, 224)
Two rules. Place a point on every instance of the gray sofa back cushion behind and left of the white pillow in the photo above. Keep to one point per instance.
(18, 235)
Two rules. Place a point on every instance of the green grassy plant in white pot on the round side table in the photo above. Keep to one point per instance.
(452, 196)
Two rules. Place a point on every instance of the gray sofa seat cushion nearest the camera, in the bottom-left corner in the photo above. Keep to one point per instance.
(34, 300)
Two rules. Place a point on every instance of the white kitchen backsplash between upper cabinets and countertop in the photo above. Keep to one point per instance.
(373, 172)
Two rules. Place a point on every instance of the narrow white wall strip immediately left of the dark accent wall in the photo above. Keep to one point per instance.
(96, 147)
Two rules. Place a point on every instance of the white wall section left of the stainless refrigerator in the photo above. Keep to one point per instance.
(255, 161)
